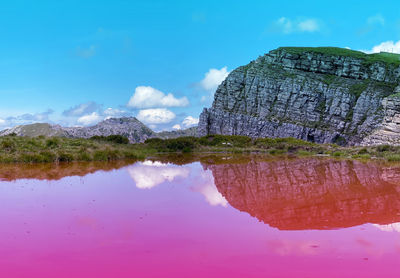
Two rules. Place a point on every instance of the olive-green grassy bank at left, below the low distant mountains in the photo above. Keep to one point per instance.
(60, 149)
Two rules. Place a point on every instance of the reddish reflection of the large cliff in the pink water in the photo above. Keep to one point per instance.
(311, 193)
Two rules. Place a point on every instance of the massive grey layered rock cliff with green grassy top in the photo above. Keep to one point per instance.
(323, 96)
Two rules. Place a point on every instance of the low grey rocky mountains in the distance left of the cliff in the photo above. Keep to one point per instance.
(129, 127)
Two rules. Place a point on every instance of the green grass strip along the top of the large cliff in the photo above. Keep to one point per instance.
(368, 59)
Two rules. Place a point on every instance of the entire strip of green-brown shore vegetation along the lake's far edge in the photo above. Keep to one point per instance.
(41, 149)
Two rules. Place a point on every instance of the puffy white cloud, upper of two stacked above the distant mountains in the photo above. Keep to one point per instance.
(148, 97)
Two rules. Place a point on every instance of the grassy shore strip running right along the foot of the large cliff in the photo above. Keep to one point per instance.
(270, 146)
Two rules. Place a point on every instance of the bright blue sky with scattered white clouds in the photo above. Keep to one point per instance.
(78, 62)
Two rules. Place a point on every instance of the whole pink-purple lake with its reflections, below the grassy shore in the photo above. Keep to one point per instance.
(206, 217)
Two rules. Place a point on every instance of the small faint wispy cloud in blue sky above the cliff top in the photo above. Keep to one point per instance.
(287, 25)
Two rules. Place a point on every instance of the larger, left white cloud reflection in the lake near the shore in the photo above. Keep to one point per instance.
(149, 174)
